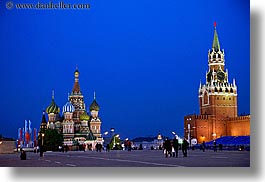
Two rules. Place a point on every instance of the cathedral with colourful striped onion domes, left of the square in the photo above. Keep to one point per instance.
(76, 124)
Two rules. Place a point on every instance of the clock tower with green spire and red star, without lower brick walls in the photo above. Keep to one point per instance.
(217, 97)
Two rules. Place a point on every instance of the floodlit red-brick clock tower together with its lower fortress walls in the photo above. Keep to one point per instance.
(218, 103)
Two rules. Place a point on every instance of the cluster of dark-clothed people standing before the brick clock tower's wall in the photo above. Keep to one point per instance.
(171, 147)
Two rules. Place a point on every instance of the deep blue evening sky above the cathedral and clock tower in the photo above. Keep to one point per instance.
(144, 59)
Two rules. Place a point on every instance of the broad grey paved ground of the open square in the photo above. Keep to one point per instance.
(145, 158)
